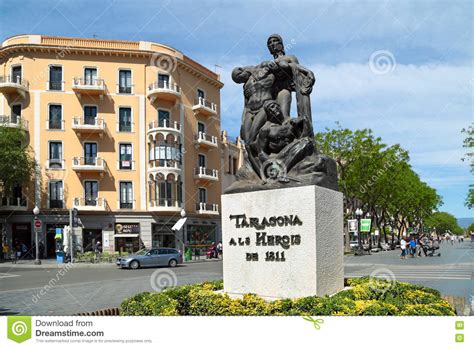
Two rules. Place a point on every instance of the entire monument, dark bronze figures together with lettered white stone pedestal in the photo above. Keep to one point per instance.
(282, 218)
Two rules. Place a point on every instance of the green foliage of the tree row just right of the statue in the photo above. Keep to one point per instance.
(378, 178)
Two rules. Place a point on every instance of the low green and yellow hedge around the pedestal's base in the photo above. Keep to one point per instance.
(365, 296)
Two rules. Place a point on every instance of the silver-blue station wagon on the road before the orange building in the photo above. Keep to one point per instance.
(150, 257)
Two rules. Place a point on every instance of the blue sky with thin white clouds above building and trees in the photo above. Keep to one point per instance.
(421, 98)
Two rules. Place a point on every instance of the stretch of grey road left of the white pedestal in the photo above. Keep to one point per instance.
(87, 289)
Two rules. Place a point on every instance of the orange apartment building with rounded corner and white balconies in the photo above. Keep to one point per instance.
(128, 133)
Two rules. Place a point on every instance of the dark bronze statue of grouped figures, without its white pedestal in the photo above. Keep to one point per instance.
(279, 150)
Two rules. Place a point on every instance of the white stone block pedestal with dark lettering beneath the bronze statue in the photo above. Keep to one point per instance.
(283, 243)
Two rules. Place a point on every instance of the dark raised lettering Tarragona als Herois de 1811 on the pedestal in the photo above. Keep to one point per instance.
(262, 238)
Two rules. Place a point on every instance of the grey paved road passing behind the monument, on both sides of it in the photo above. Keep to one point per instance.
(88, 289)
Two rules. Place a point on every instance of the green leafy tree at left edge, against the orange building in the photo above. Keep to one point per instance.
(17, 166)
